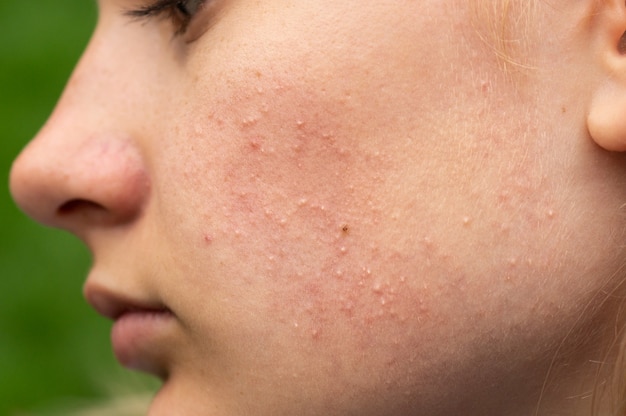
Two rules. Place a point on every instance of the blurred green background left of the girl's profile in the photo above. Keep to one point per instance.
(54, 350)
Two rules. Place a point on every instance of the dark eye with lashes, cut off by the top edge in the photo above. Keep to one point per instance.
(177, 11)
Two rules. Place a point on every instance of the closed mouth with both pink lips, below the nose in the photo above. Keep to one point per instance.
(142, 332)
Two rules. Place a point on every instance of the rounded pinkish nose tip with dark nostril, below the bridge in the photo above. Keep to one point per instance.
(77, 184)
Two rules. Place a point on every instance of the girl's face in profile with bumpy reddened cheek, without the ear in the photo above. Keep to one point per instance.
(337, 207)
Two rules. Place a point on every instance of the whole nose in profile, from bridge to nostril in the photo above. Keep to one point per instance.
(83, 170)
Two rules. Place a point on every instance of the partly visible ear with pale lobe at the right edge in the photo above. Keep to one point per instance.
(606, 119)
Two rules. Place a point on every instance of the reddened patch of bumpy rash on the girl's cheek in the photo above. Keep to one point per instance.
(302, 203)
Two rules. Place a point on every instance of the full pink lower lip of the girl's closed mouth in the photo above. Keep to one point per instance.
(138, 339)
